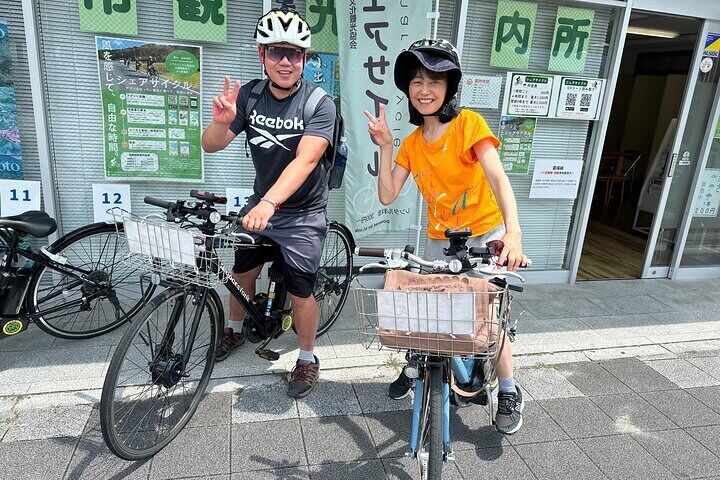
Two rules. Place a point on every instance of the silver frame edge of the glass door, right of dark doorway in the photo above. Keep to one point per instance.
(647, 270)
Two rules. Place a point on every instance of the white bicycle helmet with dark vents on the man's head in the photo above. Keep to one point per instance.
(283, 24)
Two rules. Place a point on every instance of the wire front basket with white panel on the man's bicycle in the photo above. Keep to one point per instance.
(175, 253)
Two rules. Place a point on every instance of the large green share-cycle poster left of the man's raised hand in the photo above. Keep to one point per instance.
(151, 109)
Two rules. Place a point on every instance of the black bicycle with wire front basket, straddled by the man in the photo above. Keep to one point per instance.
(162, 365)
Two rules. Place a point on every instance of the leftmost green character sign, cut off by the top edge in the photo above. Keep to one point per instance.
(110, 16)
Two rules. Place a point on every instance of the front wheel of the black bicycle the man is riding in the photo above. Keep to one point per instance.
(149, 393)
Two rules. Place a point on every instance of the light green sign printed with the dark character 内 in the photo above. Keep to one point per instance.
(512, 39)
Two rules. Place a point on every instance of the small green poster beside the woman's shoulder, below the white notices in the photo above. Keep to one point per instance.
(516, 135)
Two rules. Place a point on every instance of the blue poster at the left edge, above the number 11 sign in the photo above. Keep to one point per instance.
(10, 151)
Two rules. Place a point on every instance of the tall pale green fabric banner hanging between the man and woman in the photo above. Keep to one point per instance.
(371, 34)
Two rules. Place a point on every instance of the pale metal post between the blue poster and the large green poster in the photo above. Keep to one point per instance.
(40, 112)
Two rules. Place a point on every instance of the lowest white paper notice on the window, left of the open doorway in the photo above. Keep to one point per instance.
(556, 178)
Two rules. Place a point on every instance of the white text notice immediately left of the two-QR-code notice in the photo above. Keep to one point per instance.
(528, 95)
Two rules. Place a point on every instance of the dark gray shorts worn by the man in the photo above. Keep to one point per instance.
(299, 239)
